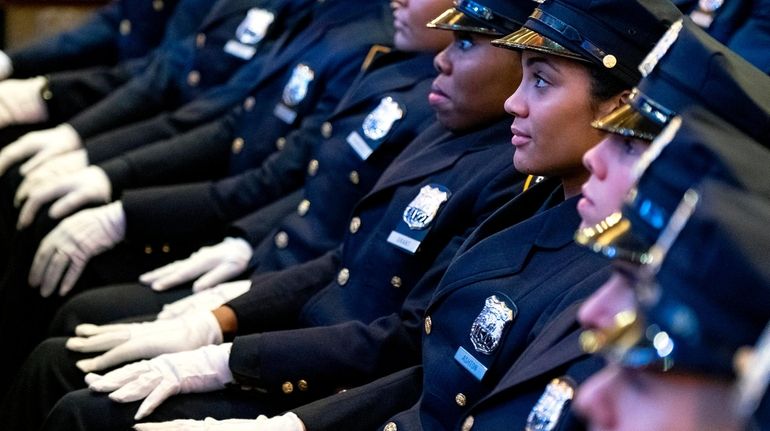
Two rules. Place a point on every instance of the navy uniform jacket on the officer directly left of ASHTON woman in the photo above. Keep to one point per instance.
(345, 306)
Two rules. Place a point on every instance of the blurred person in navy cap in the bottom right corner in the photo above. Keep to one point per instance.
(684, 359)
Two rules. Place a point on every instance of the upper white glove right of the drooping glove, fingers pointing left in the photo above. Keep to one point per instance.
(217, 263)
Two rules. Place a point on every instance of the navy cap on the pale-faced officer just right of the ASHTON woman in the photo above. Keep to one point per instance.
(694, 69)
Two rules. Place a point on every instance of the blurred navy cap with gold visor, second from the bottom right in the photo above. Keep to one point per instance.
(701, 146)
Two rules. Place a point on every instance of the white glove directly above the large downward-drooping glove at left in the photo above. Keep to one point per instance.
(86, 186)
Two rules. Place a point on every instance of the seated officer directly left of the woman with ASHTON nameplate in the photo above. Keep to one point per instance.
(437, 182)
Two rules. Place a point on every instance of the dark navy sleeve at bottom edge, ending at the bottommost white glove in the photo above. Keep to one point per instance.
(364, 407)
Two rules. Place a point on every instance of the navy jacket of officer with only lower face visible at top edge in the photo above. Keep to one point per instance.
(334, 176)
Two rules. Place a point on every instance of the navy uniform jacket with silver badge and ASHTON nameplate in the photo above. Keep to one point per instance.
(525, 257)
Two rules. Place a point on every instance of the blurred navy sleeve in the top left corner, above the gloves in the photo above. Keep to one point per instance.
(90, 44)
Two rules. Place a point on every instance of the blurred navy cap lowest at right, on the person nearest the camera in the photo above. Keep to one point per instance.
(712, 287)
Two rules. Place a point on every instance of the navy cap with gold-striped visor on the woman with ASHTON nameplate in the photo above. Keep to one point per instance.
(615, 35)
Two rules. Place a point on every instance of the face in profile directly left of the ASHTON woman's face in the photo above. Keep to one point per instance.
(474, 79)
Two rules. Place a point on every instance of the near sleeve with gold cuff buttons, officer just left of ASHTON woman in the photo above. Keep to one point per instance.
(343, 355)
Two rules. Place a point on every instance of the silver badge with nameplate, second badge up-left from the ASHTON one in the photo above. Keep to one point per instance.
(376, 126)
